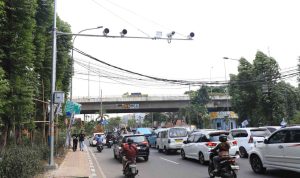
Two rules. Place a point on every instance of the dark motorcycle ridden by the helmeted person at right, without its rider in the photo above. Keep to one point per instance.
(228, 167)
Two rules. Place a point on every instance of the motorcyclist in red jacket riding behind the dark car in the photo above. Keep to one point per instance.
(129, 151)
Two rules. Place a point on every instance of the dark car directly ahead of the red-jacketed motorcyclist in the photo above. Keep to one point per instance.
(138, 139)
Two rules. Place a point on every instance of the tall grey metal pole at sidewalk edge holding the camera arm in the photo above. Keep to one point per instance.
(53, 79)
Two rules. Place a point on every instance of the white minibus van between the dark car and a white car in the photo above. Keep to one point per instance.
(171, 139)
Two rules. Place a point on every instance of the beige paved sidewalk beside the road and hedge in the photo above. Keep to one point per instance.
(75, 164)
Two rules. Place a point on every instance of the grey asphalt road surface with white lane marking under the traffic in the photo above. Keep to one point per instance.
(161, 165)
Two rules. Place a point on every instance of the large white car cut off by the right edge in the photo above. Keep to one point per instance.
(281, 150)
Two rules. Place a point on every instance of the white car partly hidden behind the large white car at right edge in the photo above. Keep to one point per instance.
(246, 137)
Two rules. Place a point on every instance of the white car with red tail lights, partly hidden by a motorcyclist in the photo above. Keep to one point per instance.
(199, 144)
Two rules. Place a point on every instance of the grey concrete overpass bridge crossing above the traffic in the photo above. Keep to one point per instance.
(141, 104)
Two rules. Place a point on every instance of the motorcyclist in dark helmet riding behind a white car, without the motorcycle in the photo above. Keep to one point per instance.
(223, 152)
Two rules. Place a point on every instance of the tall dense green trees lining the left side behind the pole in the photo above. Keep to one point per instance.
(26, 60)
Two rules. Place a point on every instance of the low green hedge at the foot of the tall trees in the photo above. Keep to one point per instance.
(20, 161)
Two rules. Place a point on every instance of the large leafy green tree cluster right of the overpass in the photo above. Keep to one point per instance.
(258, 96)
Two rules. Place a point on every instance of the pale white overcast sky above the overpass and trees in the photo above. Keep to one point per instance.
(223, 28)
